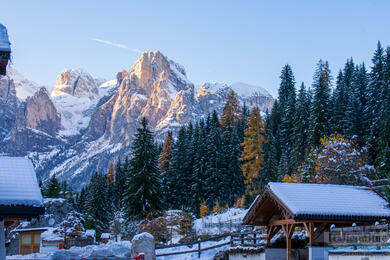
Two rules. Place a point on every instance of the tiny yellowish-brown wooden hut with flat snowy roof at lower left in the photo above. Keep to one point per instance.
(29, 240)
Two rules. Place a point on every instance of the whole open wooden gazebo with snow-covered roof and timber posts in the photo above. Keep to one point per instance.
(315, 207)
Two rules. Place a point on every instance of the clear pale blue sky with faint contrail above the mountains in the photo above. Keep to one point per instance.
(224, 41)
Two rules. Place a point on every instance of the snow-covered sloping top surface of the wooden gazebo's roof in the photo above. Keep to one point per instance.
(329, 199)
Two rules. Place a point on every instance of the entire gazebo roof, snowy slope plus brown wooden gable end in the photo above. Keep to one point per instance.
(304, 201)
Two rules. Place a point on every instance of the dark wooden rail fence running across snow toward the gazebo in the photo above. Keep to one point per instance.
(247, 239)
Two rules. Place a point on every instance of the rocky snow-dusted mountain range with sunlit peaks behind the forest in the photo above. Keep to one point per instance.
(85, 123)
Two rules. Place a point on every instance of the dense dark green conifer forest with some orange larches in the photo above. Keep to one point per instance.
(335, 131)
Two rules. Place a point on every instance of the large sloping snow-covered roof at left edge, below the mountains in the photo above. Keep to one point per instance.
(18, 183)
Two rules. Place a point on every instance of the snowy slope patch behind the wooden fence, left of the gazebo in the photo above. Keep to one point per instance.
(219, 223)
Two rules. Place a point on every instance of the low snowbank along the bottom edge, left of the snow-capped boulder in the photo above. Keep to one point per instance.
(111, 249)
